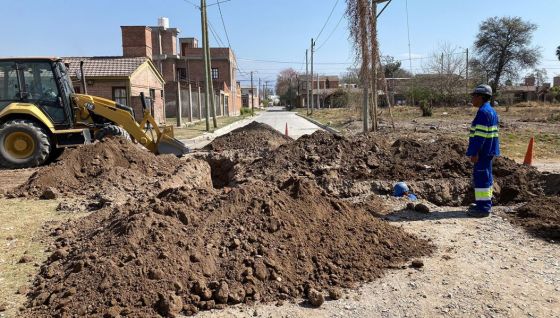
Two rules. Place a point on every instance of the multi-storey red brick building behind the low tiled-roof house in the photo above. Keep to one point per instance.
(181, 63)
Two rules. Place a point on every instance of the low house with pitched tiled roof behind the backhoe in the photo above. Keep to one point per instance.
(121, 79)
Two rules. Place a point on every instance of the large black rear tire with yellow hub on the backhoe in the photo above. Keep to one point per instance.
(23, 144)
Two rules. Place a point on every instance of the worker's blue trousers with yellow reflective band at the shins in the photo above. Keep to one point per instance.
(483, 183)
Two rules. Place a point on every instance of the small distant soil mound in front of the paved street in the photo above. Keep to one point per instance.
(254, 137)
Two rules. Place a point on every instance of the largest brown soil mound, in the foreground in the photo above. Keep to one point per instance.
(188, 250)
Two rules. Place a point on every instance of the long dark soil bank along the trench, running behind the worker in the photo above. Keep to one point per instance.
(352, 166)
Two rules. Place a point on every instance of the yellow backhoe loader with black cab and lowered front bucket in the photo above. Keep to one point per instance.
(40, 116)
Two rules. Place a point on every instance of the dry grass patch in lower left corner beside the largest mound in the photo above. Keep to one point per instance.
(21, 233)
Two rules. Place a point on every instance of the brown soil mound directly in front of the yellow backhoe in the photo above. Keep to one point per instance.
(113, 170)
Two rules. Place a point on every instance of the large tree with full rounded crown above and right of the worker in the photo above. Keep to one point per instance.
(503, 48)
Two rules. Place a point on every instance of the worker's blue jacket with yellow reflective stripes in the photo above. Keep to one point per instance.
(483, 137)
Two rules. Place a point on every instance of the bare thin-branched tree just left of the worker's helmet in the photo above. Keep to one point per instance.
(449, 65)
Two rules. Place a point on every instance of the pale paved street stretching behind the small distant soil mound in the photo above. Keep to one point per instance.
(276, 117)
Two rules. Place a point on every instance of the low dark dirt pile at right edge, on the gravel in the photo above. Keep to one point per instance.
(540, 217)
